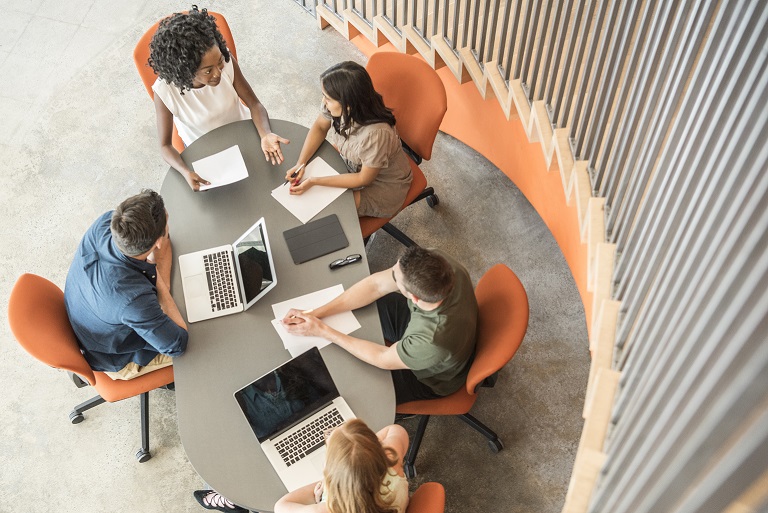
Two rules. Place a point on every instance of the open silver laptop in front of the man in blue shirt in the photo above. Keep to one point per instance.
(230, 278)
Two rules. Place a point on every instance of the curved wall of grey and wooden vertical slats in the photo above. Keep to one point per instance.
(667, 102)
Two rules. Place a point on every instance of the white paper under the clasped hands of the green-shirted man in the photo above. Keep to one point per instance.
(345, 322)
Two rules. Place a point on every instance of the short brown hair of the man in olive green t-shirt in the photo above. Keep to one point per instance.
(426, 274)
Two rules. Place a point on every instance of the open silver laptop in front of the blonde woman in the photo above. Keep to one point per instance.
(291, 409)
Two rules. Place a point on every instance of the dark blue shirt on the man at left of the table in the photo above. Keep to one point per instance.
(112, 303)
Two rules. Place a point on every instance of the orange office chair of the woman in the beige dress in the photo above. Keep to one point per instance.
(416, 95)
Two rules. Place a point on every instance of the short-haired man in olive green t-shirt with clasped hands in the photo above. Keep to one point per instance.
(427, 308)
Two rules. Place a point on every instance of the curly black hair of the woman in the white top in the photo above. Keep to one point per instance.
(179, 44)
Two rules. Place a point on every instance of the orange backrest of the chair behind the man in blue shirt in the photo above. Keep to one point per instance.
(39, 321)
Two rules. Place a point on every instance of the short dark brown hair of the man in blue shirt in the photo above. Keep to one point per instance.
(138, 222)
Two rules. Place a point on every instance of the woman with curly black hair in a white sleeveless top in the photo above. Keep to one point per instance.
(199, 87)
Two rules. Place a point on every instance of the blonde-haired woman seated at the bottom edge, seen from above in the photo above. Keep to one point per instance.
(363, 474)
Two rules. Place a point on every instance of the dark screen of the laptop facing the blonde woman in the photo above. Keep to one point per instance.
(286, 395)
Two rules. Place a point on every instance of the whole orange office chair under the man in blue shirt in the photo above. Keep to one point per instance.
(39, 321)
